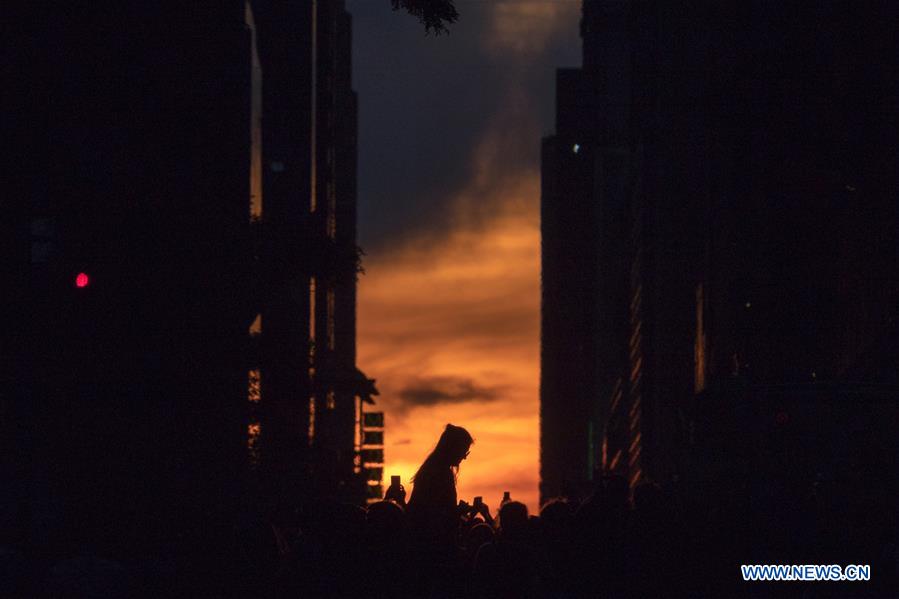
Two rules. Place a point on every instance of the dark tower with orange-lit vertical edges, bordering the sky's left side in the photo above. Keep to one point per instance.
(307, 392)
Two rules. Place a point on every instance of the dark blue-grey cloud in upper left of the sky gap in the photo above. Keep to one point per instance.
(423, 103)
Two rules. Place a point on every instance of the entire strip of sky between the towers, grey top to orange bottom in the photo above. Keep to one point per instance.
(449, 144)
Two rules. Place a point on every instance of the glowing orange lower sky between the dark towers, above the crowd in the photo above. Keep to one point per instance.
(451, 327)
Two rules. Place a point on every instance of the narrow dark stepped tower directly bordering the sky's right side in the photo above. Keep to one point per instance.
(585, 302)
